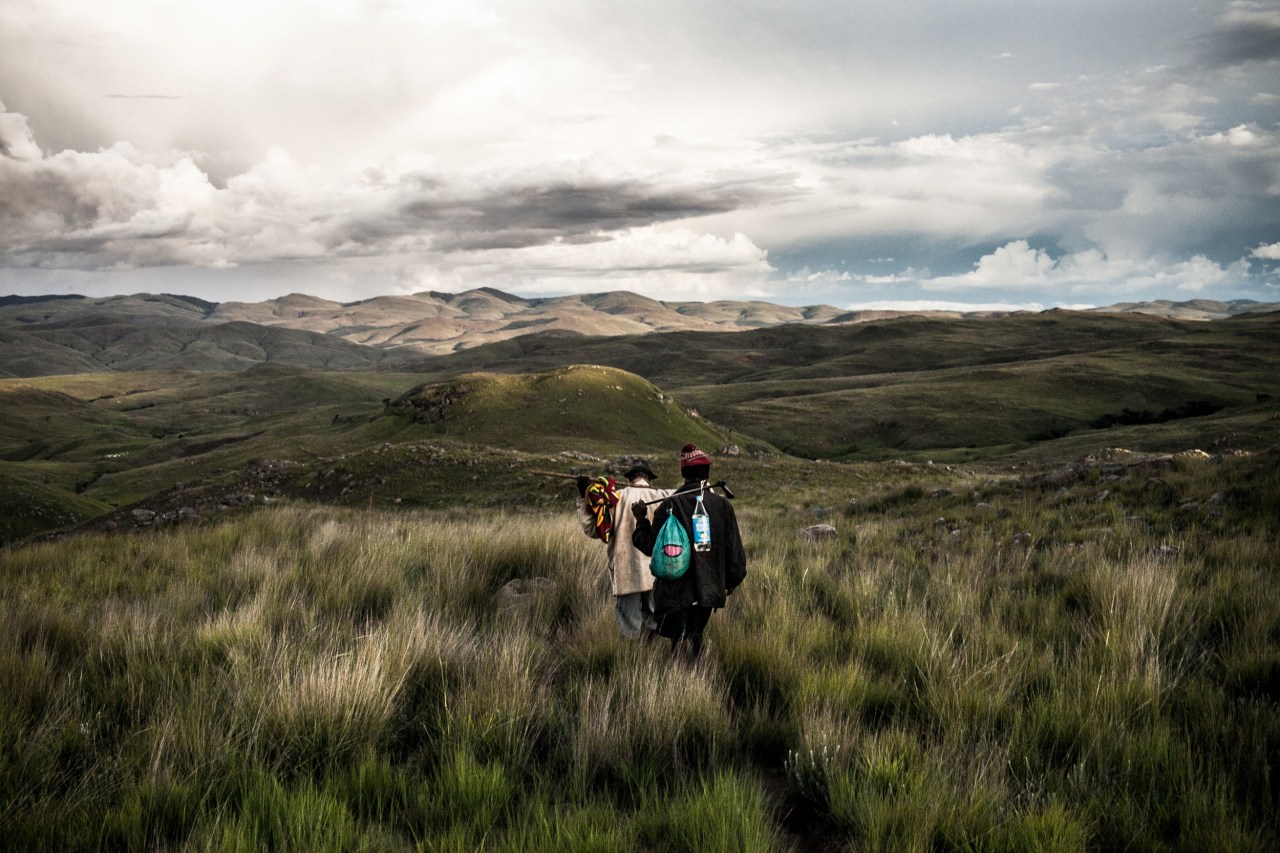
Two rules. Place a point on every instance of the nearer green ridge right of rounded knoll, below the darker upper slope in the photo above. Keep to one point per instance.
(948, 407)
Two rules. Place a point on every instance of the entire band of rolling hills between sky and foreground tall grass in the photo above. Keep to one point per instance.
(232, 407)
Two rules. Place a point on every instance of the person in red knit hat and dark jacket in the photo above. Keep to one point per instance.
(683, 606)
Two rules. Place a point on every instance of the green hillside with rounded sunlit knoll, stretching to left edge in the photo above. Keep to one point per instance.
(170, 441)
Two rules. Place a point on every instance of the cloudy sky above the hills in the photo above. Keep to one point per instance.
(852, 153)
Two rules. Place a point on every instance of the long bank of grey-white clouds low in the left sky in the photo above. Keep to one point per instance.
(116, 207)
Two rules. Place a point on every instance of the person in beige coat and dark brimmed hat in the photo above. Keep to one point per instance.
(629, 569)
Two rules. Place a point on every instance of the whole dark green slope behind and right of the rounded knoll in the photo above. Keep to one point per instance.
(920, 385)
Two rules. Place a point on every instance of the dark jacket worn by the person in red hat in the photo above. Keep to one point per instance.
(712, 574)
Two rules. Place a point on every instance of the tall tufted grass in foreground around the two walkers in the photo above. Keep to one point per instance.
(1036, 672)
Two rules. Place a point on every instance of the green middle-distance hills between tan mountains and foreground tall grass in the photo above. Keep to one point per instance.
(954, 391)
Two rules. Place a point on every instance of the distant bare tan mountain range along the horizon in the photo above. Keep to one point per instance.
(61, 335)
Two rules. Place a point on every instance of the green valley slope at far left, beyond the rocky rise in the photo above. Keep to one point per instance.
(120, 437)
